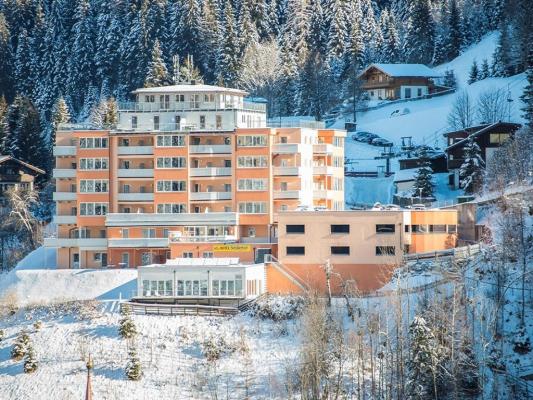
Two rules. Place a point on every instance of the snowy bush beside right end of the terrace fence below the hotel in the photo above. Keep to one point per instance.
(278, 308)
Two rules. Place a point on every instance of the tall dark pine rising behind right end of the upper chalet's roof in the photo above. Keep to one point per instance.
(420, 34)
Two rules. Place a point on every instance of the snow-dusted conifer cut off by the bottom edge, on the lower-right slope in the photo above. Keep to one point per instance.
(423, 364)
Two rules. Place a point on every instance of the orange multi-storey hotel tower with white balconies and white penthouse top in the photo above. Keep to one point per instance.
(189, 171)
